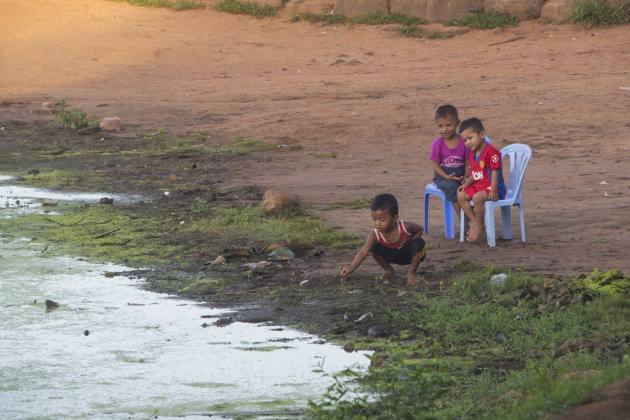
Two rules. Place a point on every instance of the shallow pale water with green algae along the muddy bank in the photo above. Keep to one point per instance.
(112, 350)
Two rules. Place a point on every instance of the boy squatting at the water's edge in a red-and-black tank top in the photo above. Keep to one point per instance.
(391, 241)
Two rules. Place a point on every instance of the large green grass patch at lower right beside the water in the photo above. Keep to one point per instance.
(487, 352)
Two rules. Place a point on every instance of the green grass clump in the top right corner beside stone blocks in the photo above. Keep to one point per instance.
(590, 13)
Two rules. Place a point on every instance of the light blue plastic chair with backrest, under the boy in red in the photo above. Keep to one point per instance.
(519, 155)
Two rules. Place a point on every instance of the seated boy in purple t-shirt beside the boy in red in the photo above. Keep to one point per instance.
(449, 154)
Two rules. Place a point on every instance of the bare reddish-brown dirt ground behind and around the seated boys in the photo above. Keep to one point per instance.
(365, 94)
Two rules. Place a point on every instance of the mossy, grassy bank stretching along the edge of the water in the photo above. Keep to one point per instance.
(456, 346)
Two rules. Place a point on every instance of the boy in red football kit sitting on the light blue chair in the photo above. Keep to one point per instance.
(485, 177)
